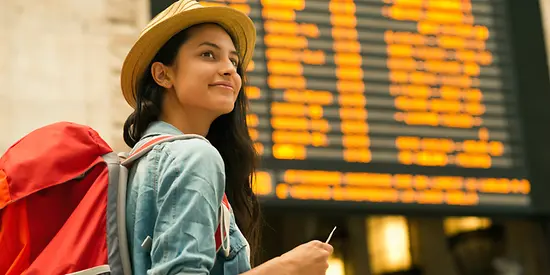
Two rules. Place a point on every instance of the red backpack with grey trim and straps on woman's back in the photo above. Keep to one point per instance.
(63, 200)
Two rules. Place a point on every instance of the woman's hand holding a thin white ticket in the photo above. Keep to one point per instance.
(307, 259)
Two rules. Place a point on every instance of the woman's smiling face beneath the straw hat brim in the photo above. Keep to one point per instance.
(204, 78)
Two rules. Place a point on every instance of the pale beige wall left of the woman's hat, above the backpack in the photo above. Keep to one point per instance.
(60, 61)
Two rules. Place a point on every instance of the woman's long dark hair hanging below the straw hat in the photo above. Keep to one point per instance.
(228, 134)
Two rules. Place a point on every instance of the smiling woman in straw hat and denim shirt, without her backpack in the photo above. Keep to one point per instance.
(185, 75)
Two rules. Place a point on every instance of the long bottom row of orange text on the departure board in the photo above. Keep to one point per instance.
(391, 188)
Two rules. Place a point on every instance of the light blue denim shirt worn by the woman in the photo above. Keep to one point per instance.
(174, 196)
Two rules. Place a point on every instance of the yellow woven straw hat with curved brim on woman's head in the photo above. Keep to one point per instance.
(179, 16)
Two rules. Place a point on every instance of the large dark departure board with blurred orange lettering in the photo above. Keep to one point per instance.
(385, 102)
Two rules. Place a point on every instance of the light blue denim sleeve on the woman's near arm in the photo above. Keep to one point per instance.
(191, 184)
